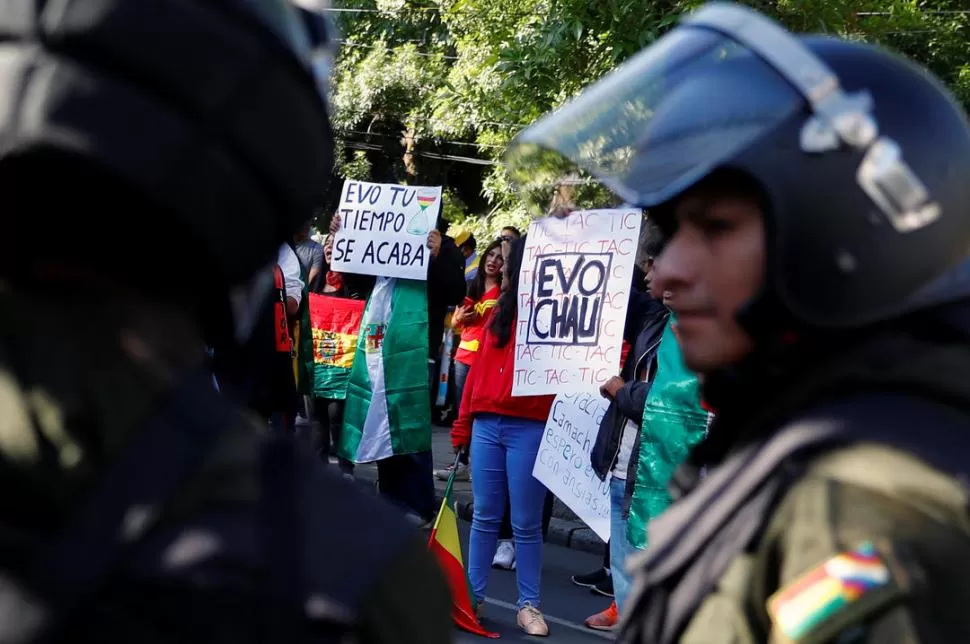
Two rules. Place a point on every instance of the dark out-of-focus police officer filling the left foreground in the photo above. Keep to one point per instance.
(172, 146)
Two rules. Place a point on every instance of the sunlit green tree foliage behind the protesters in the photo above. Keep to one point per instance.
(432, 91)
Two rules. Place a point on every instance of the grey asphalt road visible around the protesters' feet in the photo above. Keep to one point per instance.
(564, 605)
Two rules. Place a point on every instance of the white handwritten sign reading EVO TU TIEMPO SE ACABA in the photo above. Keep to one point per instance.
(384, 229)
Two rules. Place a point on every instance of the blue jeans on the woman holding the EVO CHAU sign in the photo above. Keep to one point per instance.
(505, 450)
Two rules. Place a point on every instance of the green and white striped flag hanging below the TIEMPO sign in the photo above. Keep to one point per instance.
(388, 403)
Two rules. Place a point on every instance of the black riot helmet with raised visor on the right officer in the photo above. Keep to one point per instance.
(862, 158)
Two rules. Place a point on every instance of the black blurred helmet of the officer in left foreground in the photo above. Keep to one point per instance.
(205, 119)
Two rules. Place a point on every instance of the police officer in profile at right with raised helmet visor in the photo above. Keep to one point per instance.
(814, 192)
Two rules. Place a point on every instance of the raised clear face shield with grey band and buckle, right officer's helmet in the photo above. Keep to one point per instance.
(694, 99)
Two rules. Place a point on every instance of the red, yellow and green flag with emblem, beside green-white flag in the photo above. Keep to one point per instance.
(335, 322)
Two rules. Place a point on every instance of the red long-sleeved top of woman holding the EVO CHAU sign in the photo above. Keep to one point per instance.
(488, 390)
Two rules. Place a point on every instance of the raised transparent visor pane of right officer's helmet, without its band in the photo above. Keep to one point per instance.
(658, 124)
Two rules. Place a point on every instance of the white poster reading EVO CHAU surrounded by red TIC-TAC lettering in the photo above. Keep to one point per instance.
(574, 287)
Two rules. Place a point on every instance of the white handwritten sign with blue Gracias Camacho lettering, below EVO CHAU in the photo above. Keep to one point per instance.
(563, 466)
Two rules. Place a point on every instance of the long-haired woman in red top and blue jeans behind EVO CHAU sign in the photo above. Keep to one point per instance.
(505, 434)
